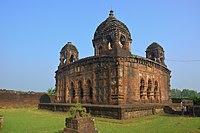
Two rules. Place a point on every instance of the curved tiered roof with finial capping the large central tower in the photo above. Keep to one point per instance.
(109, 25)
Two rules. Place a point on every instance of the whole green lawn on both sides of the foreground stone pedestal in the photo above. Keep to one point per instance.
(32, 120)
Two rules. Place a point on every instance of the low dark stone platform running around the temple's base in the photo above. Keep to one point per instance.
(112, 111)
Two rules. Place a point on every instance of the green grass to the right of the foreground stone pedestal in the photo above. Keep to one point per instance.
(151, 124)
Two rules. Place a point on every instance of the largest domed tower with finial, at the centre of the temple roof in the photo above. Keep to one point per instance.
(112, 38)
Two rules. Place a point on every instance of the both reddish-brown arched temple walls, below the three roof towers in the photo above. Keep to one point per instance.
(114, 80)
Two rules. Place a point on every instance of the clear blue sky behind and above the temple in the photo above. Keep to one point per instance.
(32, 33)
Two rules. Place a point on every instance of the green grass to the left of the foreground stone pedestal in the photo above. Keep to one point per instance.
(31, 120)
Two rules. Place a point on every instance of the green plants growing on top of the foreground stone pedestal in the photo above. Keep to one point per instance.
(77, 109)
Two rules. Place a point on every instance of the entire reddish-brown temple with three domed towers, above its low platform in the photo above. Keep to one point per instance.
(113, 76)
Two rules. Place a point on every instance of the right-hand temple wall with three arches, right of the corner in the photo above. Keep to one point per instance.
(133, 70)
